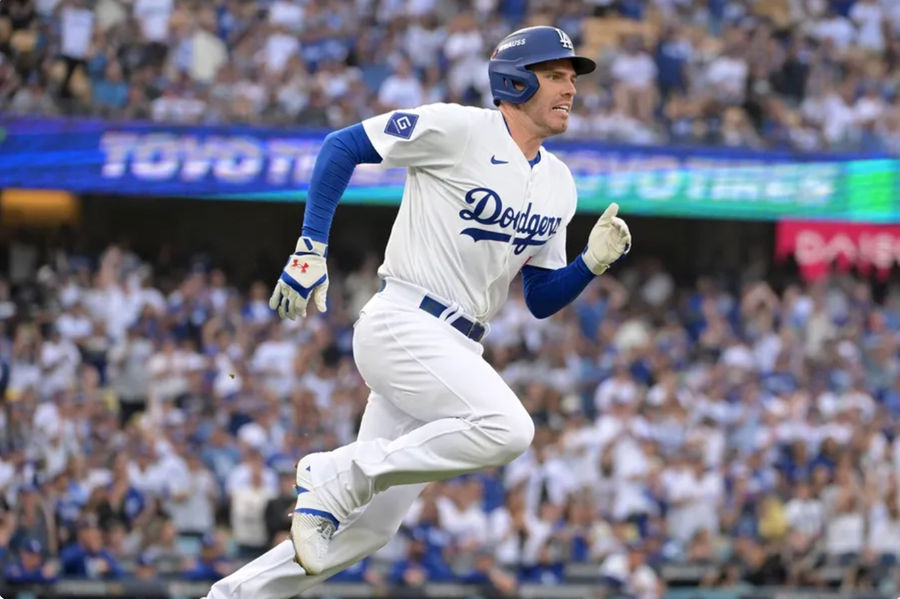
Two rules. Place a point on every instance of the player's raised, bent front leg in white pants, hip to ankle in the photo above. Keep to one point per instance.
(436, 375)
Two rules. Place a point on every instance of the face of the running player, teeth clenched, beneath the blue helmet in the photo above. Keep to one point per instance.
(549, 107)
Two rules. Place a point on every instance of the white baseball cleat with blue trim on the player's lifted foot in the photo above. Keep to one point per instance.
(312, 525)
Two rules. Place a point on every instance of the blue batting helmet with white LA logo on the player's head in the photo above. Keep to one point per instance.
(522, 49)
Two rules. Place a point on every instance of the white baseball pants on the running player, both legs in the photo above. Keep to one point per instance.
(436, 410)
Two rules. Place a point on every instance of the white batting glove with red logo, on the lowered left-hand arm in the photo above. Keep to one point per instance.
(304, 274)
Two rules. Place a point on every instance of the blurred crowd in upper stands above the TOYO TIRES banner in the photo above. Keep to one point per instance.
(782, 74)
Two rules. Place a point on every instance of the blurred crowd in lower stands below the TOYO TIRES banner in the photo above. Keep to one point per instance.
(151, 422)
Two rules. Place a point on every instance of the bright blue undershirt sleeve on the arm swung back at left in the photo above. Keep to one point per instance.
(340, 153)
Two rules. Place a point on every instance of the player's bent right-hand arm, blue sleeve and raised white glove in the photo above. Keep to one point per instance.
(548, 290)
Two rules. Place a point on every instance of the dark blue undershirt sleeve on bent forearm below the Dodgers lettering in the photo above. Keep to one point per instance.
(548, 291)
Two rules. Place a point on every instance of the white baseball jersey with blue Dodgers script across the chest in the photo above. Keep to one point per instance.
(474, 210)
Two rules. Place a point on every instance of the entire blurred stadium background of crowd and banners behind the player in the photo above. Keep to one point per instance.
(718, 417)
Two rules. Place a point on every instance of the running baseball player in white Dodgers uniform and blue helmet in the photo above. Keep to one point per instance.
(483, 202)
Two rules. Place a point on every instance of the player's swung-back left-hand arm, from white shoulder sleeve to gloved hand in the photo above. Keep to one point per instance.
(434, 135)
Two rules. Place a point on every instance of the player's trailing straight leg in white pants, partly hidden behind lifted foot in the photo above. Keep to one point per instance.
(275, 574)
